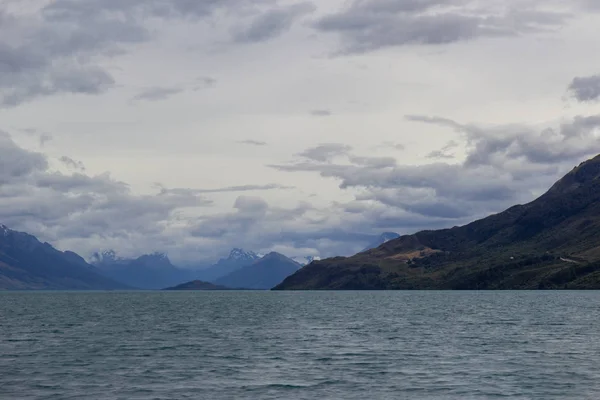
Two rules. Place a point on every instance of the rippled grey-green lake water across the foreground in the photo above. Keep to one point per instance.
(304, 345)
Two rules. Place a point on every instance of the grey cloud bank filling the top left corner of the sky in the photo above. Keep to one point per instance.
(59, 48)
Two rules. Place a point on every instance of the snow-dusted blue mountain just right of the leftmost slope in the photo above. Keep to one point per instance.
(151, 271)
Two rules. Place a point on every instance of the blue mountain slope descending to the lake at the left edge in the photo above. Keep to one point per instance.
(28, 264)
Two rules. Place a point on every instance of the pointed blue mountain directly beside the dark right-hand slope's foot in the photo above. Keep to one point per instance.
(262, 274)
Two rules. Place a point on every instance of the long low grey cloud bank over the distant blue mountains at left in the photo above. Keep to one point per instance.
(88, 212)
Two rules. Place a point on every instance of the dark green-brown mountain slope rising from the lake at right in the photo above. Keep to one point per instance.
(552, 242)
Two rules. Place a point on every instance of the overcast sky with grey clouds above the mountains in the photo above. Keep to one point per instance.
(192, 127)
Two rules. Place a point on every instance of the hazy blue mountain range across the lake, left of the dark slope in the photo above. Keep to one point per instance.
(28, 264)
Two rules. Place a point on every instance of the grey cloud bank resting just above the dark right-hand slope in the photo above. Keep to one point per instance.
(504, 165)
